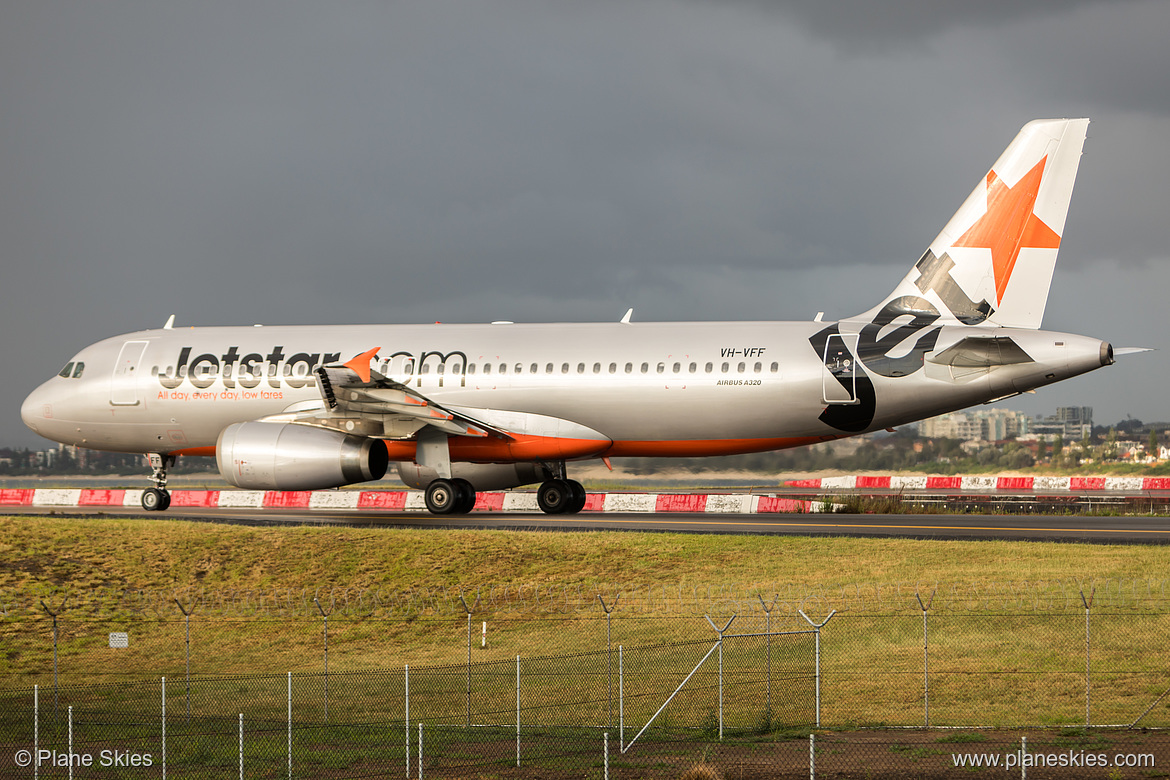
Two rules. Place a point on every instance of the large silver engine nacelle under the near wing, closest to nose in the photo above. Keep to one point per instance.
(287, 457)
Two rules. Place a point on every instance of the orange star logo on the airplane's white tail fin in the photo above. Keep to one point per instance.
(1010, 225)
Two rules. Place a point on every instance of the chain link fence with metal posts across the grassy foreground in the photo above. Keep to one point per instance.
(639, 682)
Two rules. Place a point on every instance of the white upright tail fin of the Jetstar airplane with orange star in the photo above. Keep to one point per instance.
(995, 259)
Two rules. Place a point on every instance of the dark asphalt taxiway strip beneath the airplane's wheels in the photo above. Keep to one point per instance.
(1092, 529)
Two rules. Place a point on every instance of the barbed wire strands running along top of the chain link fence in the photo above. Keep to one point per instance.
(581, 600)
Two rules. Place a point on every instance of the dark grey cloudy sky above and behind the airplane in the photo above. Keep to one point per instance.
(377, 162)
